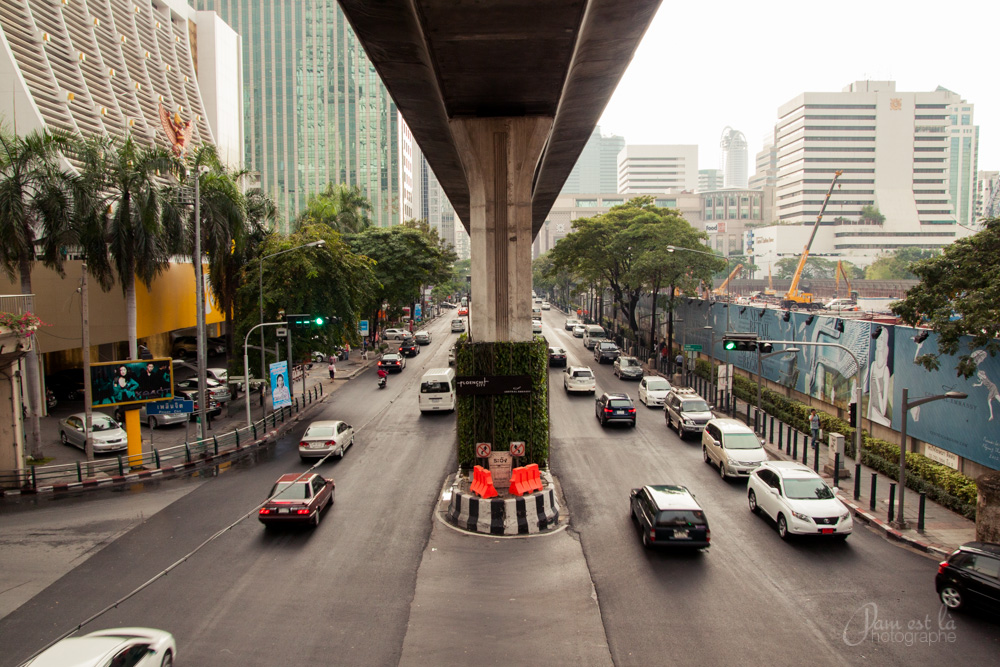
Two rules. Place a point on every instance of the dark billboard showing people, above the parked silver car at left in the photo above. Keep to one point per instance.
(128, 382)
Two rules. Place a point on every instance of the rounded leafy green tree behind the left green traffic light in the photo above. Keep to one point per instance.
(329, 281)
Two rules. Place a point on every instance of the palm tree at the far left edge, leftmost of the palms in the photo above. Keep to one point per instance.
(35, 209)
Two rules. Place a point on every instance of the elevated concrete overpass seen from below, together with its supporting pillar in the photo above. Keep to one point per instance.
(501, 96)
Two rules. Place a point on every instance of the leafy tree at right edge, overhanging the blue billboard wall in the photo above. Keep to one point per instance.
(958, 295)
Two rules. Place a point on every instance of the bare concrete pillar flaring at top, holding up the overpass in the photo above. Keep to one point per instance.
(499, 156)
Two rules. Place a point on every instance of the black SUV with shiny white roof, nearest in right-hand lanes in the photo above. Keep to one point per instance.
(669, 516)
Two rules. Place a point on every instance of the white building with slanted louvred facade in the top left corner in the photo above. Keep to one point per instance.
(106, 67)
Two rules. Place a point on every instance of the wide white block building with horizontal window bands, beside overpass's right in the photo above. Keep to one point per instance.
(655, 169)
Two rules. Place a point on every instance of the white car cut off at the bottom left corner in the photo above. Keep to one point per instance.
(134, 647)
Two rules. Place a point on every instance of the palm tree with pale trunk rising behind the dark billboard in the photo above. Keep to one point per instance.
(125, 179)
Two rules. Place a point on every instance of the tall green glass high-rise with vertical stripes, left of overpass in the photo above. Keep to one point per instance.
(316, 111)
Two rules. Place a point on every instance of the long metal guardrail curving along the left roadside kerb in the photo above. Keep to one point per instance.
(36, 477)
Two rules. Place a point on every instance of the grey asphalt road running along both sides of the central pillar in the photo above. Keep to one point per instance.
(382, 581)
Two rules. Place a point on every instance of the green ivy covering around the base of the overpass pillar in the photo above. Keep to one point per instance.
(500, 419)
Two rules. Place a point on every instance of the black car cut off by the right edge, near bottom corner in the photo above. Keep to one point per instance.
(970, 577)
